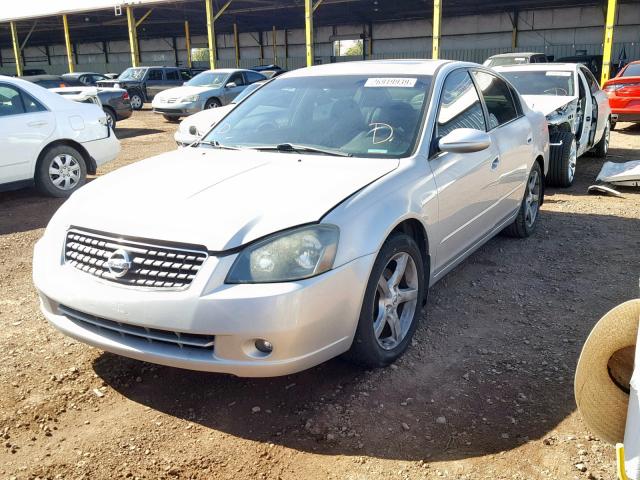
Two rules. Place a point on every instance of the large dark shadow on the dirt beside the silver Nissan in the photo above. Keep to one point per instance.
(490, 368)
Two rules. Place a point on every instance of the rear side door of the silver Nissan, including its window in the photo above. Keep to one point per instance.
(510, 131)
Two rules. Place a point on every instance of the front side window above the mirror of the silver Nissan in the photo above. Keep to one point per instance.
(460, 105)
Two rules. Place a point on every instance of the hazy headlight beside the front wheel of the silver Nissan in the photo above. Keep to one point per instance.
(287, 256)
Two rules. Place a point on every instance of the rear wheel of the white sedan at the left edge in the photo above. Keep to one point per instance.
(61, 171)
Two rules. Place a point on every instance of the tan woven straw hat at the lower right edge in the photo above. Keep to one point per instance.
(602, 402)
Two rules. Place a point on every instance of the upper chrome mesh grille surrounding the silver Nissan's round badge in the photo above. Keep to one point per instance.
(155, 266)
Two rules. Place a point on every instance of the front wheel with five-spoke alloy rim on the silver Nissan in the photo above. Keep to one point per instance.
(392, 304)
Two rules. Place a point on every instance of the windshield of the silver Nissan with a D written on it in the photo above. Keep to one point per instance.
(365, 116)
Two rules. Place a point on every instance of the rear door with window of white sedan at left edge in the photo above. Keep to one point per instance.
(25, 126)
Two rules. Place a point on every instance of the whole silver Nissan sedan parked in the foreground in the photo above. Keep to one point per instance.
(310, 222)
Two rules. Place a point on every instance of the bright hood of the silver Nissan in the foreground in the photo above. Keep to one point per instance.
(221, 199)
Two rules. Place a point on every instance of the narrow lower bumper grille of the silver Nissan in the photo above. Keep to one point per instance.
(126, 330)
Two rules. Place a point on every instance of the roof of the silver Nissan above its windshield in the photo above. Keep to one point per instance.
(372, 67)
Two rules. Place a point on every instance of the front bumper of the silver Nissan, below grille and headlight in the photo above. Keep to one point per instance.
(308, 322)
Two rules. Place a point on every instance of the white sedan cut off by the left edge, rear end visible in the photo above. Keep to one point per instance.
(48, 140)
